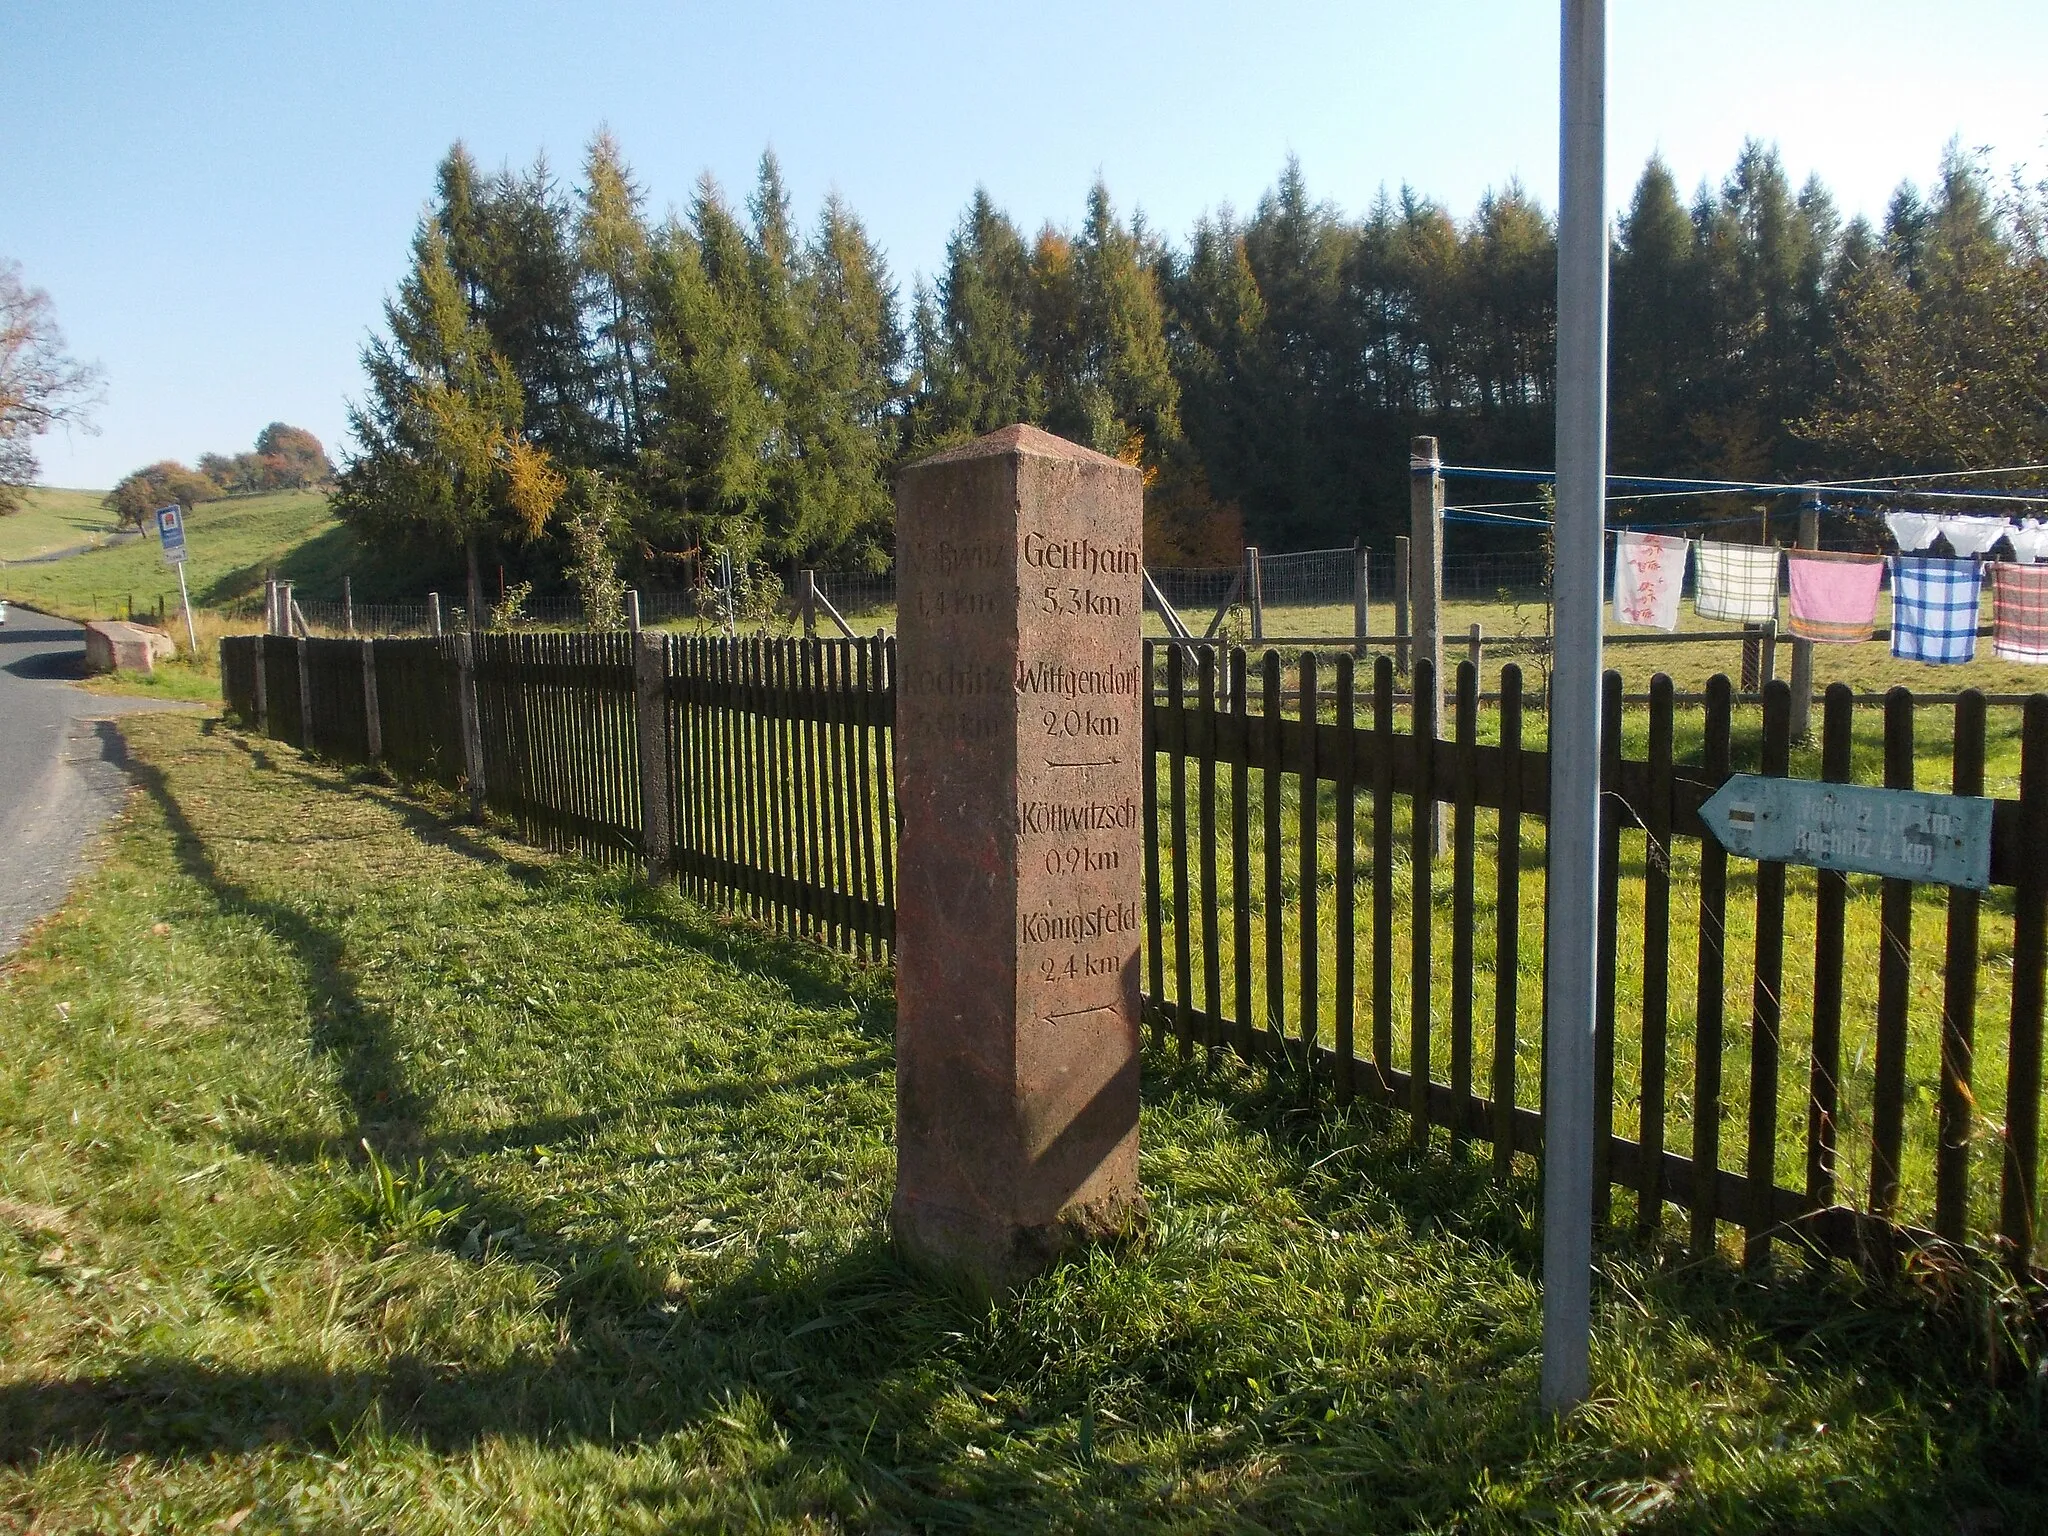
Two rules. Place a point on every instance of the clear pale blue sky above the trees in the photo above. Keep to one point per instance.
(220, 196)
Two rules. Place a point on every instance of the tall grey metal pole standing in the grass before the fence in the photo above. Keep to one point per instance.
(1574, 884)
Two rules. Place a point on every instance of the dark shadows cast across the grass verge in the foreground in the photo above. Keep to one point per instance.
(849, 1357)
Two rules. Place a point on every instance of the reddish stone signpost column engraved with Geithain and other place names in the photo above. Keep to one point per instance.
(1021, 871)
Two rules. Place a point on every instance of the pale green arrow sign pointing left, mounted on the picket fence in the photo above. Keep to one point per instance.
(1897, 833)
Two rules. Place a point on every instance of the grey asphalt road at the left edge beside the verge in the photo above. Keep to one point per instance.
(62, 765)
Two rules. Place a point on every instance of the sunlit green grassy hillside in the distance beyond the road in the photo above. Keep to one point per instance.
(232, 544)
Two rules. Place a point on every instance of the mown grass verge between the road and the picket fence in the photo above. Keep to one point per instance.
(364, 1172)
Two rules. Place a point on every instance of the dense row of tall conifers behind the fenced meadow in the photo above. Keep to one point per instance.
(572, 386)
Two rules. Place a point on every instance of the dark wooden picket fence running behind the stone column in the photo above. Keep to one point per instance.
(1777, 1052)
